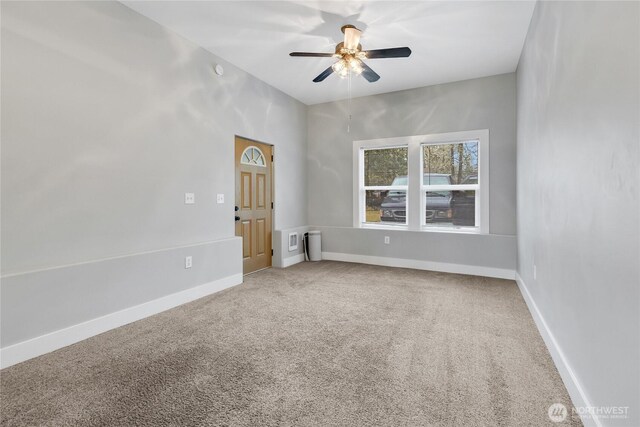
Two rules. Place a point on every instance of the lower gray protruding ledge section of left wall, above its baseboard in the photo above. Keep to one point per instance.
(45, 301)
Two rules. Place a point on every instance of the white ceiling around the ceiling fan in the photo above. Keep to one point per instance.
(450, 40)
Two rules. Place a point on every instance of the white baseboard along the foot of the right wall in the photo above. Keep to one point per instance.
(571, 382)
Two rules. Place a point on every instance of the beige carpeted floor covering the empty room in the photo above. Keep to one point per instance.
(317, 344)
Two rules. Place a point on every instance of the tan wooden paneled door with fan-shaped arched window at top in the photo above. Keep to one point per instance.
(253, 202)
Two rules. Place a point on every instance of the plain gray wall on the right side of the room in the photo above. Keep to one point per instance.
(578, 190)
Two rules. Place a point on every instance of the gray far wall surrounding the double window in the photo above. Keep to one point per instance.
(486, 103)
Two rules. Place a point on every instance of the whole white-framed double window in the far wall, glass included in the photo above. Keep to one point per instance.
(427, 182)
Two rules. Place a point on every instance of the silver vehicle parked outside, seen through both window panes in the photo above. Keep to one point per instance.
(394, 205)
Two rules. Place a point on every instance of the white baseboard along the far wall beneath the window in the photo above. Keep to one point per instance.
(499, 273)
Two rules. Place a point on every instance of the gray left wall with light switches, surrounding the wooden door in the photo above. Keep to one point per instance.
(107, 120)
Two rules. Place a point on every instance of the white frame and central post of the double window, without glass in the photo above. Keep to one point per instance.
(416, 205)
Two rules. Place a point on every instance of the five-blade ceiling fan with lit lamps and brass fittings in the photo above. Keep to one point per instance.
(350, 56)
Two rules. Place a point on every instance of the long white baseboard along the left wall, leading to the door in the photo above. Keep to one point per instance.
(43, 344)
